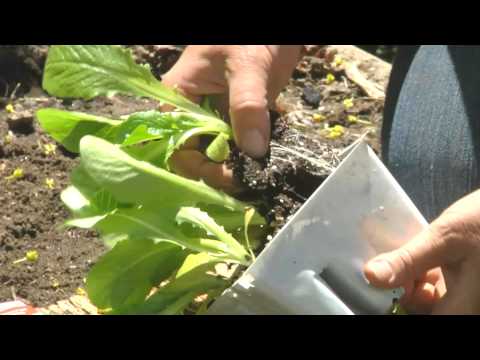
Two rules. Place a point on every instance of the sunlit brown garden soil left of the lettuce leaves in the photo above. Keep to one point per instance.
(32, 213)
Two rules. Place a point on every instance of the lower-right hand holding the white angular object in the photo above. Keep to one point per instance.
(439, 268)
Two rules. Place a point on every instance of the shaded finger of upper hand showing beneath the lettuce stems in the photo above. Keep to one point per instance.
(196, 166)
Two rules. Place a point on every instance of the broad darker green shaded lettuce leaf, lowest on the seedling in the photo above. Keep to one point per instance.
(126, 274)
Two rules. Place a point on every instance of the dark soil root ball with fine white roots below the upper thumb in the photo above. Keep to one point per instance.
(279, 184)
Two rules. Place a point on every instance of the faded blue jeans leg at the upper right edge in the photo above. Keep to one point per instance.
(431, 131)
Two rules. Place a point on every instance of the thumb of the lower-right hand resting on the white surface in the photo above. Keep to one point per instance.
(402, 267)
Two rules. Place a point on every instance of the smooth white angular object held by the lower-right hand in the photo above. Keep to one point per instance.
(314, 265)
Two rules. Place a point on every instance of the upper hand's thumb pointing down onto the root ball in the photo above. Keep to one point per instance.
(249, 108)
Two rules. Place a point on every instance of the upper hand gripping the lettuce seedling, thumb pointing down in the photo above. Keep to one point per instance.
(248, 79)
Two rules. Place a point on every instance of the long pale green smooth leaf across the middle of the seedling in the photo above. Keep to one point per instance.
(136, 182)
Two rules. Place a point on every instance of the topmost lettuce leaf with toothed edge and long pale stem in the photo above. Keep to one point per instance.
(87, 71)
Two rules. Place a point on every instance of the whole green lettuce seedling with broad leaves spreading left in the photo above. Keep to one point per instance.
(160, 227)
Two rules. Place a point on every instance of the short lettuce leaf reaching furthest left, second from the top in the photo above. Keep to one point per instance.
(68, 128)
